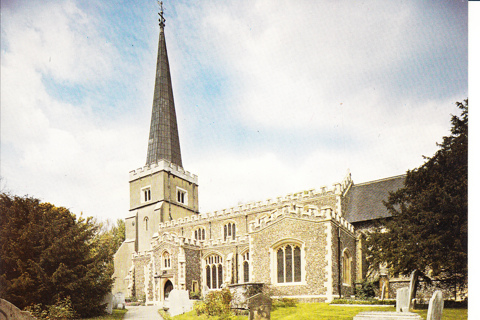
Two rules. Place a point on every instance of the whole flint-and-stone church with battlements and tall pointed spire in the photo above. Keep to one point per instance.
(306, 245)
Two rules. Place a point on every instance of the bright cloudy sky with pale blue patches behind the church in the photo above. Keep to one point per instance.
(272, 97)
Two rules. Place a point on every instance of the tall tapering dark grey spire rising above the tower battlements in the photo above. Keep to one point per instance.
(163, 142)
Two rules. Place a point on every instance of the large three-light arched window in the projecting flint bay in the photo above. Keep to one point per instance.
(289, 263)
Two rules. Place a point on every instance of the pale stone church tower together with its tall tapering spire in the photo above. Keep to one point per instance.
(162, 190)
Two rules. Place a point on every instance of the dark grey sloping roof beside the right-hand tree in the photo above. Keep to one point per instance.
(365, 200)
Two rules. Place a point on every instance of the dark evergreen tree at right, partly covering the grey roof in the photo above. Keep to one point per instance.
(428, 228)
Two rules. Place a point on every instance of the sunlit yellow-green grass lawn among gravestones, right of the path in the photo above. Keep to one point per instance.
(323, 311)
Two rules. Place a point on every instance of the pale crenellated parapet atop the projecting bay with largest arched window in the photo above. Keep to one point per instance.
(309, 212)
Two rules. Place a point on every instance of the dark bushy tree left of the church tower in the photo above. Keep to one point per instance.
(47, 254)
